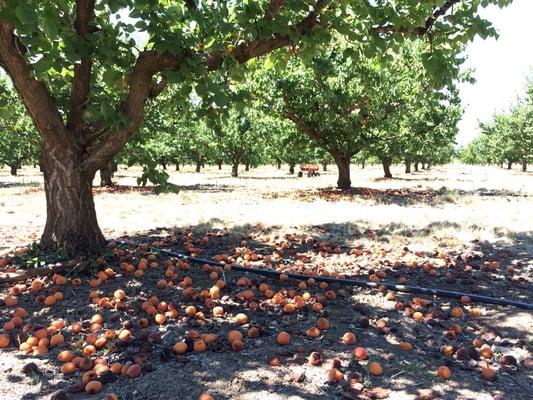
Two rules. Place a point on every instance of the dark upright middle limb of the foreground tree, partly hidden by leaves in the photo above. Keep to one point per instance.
(81, 82)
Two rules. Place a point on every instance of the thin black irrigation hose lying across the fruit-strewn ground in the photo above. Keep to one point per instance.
(350, 282)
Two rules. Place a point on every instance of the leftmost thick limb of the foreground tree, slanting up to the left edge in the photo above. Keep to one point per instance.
(33, 93)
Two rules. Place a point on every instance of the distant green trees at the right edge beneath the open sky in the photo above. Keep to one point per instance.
(507, 138)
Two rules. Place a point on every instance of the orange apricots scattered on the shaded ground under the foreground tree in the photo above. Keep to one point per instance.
(142, 308)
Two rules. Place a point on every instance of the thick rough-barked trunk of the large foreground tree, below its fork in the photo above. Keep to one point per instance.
(71, 221)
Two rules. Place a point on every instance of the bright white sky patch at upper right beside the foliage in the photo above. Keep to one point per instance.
(500, 66)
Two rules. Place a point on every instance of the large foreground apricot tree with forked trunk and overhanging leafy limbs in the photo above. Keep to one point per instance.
(86, 69)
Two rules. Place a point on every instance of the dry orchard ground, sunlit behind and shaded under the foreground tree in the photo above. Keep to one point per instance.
(456, 227)
